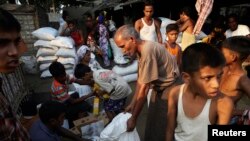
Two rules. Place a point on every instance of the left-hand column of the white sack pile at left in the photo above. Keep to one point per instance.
(46, 52)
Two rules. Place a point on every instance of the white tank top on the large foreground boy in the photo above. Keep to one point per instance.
(192, 129)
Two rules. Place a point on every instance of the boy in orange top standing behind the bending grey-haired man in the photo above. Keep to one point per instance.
(172, 31)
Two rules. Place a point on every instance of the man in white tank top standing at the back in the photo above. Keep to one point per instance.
(147, 27)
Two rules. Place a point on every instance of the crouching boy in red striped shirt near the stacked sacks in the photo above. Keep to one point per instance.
(76, 106)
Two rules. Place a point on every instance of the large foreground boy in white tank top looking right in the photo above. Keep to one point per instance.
(198, 103)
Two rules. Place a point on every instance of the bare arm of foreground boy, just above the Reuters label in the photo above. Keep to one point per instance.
(225, 108)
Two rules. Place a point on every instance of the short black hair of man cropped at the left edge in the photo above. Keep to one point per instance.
(8, 22)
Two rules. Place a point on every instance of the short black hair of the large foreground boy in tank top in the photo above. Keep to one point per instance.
(199, 55)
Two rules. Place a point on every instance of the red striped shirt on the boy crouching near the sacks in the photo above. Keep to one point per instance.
(59, 91)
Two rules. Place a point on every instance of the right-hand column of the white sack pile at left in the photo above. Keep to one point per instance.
(66, 53)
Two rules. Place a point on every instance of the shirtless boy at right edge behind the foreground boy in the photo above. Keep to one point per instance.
(235, 82)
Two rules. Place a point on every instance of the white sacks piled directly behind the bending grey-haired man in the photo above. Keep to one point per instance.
(129, 71)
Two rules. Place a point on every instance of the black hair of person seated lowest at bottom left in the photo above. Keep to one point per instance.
(51, 110)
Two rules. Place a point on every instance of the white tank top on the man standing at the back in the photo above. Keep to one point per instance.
(148, 32)
